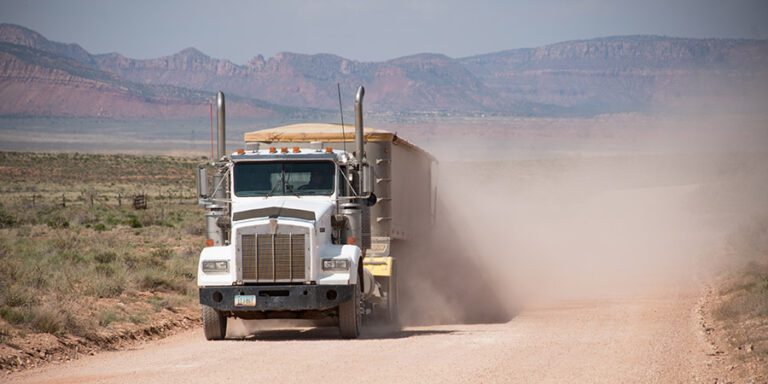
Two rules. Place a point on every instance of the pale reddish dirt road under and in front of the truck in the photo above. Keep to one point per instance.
(643, 339)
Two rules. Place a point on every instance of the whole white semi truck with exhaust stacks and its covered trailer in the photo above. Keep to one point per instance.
(308, 221)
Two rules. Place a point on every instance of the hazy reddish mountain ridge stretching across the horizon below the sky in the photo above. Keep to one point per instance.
(602, 75)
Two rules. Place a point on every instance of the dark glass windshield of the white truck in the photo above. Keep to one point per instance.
(292, 178)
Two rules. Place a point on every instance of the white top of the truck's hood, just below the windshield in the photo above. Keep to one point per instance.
(304, 208)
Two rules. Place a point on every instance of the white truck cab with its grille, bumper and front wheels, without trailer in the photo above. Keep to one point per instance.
(292, 253)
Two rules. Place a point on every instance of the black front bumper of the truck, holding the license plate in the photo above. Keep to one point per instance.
(277, 297)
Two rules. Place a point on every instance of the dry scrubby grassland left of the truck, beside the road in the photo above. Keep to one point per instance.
(84, 268)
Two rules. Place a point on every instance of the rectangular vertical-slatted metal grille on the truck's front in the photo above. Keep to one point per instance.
(273, 258)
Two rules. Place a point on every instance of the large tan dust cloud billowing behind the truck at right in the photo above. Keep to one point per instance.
(623, 206)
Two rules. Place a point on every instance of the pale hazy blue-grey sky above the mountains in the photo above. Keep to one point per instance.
(370, 30)
